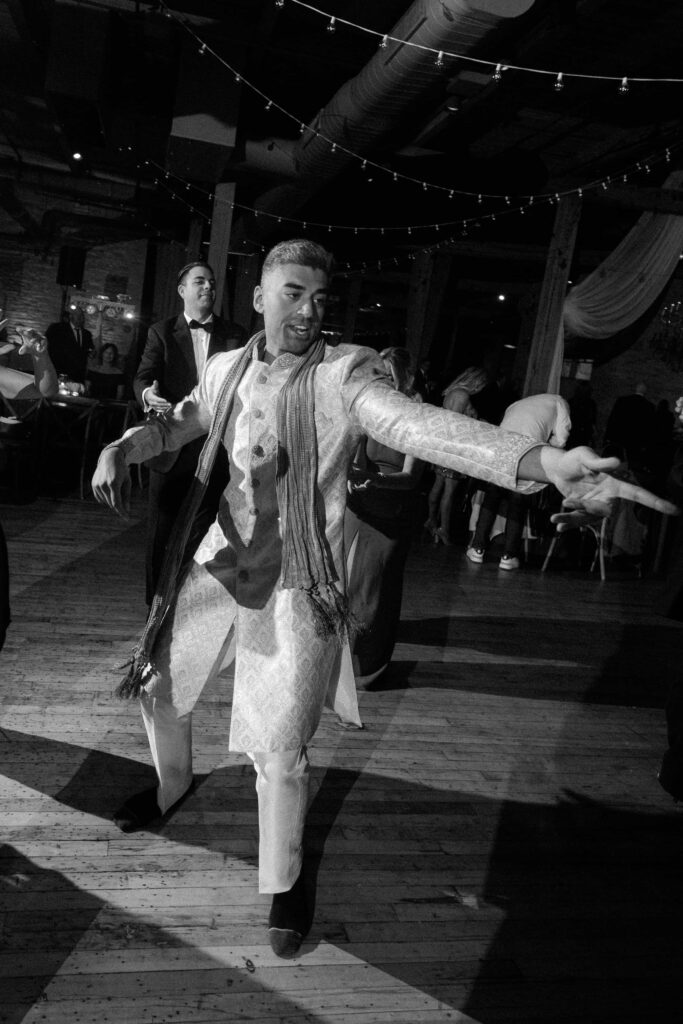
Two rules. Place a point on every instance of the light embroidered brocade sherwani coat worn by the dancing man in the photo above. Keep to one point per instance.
(232, 602)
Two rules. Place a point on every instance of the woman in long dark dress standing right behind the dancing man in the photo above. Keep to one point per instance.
(382, 510)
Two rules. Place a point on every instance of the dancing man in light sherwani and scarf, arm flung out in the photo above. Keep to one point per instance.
(267, 583)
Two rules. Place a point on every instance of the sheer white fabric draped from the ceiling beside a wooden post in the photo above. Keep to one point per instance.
(620, 291)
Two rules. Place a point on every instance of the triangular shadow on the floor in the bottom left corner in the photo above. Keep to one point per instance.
(52, 920)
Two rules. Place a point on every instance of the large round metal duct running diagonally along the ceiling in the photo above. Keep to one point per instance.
(367, 109)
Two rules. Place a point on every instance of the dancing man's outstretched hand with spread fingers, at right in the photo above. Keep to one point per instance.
(590, 492)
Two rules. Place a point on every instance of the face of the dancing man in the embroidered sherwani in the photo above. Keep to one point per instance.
(292, 301)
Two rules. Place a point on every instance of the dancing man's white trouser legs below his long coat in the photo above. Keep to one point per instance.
(282, 788)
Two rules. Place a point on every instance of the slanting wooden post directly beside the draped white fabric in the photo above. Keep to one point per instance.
(553, 290)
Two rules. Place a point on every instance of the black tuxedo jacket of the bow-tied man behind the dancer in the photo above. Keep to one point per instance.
(169, 359)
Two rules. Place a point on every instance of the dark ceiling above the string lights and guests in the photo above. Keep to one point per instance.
(124, 83)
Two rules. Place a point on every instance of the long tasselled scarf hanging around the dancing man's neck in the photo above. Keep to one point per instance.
(308, 563)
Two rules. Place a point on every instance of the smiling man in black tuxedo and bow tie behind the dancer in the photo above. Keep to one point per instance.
(176, 354)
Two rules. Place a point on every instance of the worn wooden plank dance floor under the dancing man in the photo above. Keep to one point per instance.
(493, 847)
